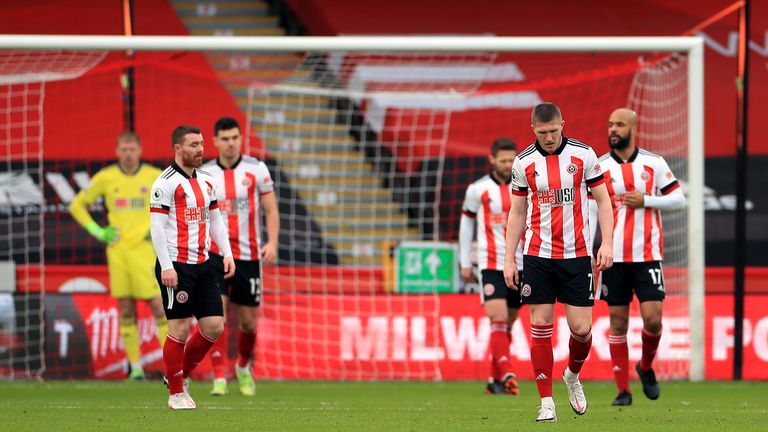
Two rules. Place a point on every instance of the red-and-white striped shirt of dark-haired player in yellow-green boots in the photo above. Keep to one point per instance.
(238, 191)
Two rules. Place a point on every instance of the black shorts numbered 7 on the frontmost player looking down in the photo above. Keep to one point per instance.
(566, 281)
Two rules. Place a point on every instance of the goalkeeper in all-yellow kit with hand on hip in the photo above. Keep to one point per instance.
(130, 254)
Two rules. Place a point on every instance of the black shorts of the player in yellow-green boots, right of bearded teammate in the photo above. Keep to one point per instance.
(244, 288)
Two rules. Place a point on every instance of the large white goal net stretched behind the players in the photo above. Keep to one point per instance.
(370, 153)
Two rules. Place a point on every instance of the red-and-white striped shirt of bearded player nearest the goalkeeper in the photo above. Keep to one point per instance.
(188, 202)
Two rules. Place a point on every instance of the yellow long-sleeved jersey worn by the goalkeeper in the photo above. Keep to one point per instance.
(126, 197)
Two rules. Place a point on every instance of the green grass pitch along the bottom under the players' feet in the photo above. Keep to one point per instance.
(380, 406)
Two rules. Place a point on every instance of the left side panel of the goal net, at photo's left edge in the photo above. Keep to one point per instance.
(23, 75)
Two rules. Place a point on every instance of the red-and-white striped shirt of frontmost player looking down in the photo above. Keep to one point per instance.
(557, 221)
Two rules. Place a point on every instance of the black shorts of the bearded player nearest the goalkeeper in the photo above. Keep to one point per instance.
(197, 293)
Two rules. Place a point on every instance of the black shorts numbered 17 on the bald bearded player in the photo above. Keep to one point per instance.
(645, 278)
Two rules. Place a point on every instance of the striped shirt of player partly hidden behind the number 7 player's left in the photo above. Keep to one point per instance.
(488, 201)
